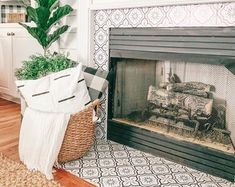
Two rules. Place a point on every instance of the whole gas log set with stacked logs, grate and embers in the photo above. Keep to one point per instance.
(187, 109)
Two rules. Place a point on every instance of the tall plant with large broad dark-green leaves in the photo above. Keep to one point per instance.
(45, 16)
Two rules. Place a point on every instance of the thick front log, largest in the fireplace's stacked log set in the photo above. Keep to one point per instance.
(164, 98)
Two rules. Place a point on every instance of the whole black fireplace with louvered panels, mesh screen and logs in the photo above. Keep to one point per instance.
(159, 103)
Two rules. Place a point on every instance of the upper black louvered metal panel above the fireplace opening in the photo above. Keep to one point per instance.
(213, 45)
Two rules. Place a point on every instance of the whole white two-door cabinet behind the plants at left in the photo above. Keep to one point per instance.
(16, 45)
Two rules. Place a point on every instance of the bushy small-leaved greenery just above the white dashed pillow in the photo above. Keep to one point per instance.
(40, 65)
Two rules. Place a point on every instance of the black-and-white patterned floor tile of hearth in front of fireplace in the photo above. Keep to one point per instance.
(126, 166)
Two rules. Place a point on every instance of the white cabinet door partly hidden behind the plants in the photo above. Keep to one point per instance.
(23, 46)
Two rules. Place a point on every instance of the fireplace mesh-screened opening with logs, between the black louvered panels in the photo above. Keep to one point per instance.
(192, 102)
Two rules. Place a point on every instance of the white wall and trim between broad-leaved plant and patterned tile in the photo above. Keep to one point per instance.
(77, 41)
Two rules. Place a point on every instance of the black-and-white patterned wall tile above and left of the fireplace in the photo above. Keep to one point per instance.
(219, 14)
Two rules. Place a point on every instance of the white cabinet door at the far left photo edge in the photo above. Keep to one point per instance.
(5, 63)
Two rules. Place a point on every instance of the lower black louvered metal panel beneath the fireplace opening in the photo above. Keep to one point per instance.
(205, 159)
